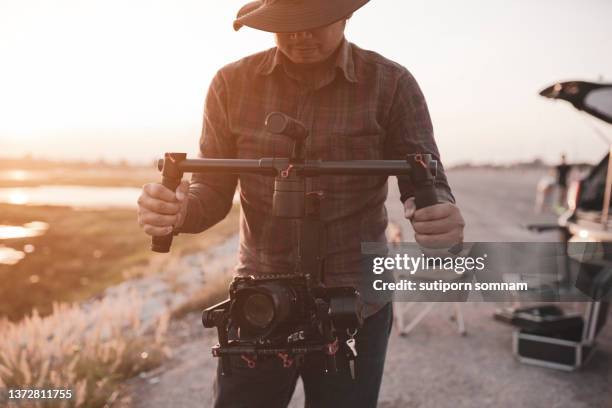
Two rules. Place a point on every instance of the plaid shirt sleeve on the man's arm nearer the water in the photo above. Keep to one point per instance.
(211, 195)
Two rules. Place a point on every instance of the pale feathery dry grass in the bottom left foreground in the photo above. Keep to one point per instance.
(89, 349)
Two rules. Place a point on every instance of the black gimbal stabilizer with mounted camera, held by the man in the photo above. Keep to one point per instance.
(290, 315)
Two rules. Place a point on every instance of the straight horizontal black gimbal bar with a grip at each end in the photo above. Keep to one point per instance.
(419, 167)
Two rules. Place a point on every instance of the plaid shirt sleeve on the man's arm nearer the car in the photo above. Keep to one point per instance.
(409, 131)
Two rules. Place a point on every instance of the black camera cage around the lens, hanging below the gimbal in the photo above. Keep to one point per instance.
(323, 313)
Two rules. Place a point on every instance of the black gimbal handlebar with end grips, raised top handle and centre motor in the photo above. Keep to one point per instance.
(419, 167)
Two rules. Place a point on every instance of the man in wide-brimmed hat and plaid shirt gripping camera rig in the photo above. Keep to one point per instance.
(357, 105)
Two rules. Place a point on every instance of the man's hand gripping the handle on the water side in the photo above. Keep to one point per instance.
(160, 210)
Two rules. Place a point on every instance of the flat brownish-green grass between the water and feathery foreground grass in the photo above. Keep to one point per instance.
(82, 253)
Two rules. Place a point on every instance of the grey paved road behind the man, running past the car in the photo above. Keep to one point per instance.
(434, 366)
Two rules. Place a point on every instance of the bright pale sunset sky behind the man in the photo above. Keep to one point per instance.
(120, 79)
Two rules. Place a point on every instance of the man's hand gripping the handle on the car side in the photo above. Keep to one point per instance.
(437, 226)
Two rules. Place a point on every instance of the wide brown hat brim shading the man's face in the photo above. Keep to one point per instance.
(287, 17)
